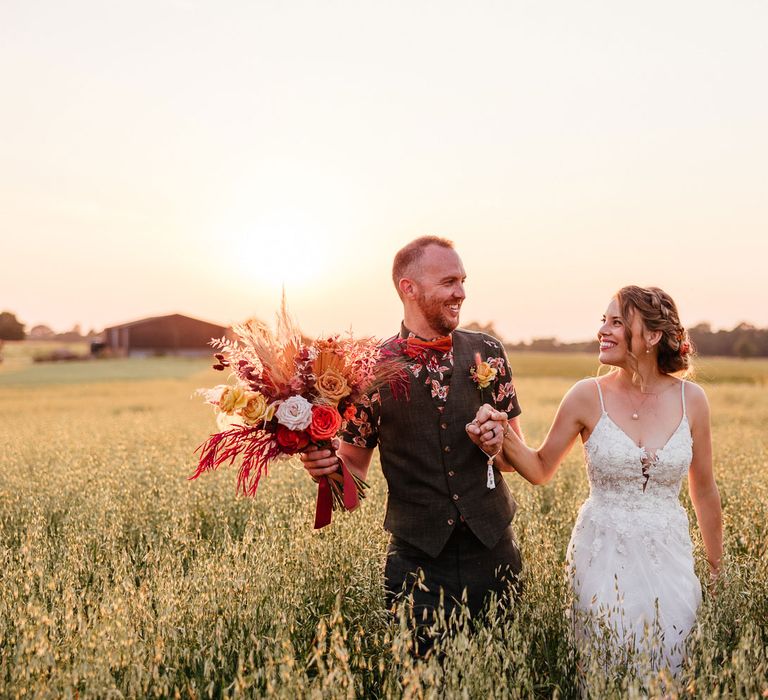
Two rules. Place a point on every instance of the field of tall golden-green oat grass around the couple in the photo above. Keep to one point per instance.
(120, 578)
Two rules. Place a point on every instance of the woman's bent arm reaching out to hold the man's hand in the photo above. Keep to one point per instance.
(539, 466)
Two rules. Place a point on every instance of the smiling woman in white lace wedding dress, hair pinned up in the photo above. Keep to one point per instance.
(630, 561)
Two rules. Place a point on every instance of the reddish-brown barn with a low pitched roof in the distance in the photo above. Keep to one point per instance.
(174, 334)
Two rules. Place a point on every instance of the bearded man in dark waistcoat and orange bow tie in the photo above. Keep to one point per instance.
(449, 518)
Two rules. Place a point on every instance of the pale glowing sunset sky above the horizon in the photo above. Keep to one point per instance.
(199, 157)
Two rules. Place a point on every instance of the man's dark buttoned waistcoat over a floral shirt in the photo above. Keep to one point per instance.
(435, 474)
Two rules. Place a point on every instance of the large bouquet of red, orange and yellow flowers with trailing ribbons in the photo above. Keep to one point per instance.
(286, 393)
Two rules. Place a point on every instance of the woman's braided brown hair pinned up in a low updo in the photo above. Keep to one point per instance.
(658, 312)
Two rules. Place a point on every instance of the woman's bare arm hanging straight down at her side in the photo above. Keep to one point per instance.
(701, 479)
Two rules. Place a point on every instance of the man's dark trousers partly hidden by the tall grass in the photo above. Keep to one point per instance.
(465, 572)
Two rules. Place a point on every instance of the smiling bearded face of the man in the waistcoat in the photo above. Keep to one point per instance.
(433, 295)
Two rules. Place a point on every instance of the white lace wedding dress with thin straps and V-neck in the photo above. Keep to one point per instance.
(630, 558)
